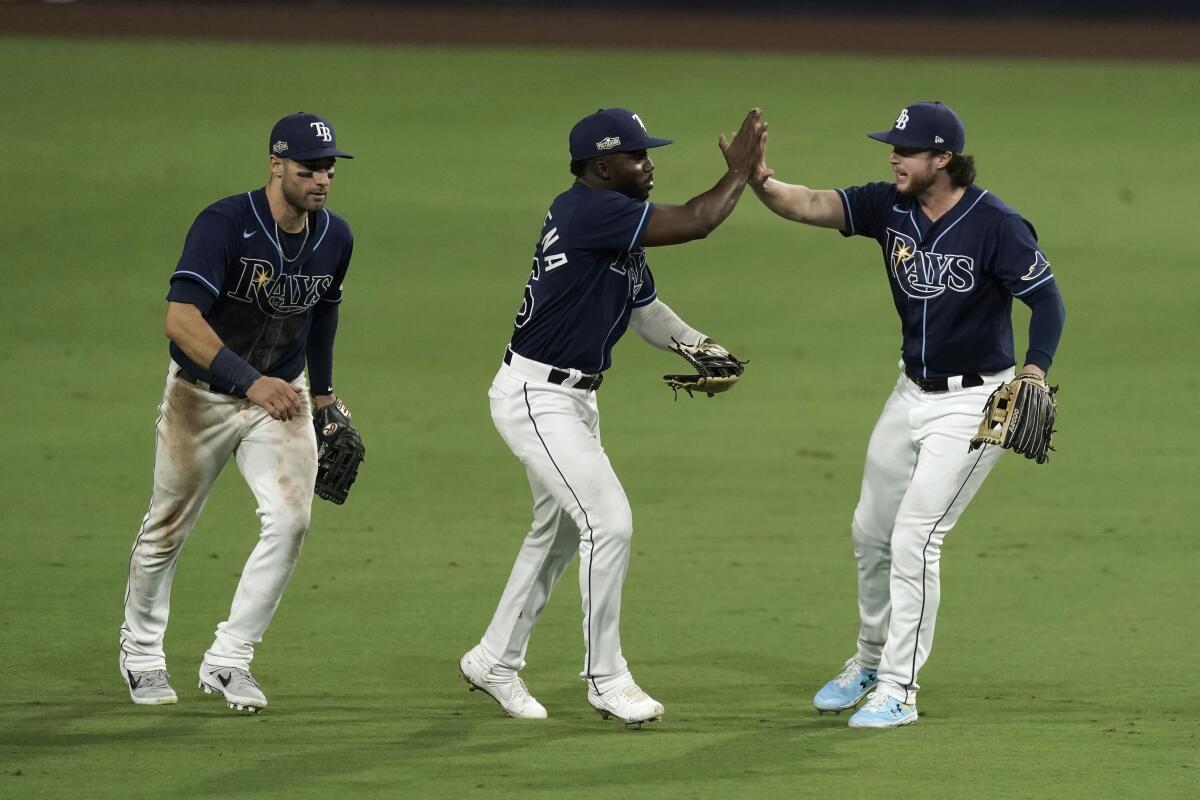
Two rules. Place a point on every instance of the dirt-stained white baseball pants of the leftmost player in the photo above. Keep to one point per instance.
(197, 434)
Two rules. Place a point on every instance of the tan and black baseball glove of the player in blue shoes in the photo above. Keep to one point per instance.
(1021, 417)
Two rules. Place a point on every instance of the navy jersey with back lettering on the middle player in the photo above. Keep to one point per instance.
(589, 274)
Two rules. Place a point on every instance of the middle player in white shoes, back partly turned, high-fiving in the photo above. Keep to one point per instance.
(590, 282)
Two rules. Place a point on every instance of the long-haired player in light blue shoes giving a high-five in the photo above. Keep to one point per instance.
(956, 256)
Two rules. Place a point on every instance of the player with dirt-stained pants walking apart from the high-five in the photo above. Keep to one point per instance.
(254, 298)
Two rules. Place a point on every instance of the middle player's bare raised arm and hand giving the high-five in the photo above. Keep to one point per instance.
(674, 225)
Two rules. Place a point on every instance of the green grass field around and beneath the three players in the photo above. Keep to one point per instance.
(1070, 611)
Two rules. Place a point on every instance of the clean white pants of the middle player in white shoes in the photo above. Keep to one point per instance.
(578, 506)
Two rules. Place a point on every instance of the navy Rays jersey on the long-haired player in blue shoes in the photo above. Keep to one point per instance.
(953, 281)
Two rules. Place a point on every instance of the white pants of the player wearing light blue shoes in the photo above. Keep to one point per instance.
(919, 479)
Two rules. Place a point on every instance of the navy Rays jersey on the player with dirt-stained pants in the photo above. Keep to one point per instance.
(256, 302)
